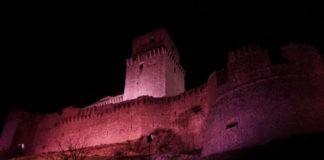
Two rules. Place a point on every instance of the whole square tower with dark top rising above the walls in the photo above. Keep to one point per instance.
(154, 68)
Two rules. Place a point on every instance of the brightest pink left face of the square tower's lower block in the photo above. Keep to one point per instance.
(145, 76)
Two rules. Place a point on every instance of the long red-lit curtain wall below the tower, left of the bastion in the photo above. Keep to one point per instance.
(107, 124)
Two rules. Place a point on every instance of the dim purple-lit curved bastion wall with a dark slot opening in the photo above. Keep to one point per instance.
(272, 103)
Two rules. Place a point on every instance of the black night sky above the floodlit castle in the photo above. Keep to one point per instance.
(57, 55)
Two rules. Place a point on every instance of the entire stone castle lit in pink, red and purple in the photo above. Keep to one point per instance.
(249, 103)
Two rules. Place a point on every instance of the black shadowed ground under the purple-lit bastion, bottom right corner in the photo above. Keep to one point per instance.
(298, 147)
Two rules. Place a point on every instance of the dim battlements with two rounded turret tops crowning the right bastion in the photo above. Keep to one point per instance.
(252, 62)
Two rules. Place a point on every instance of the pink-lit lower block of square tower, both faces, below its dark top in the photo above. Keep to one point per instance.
(155, 73)
